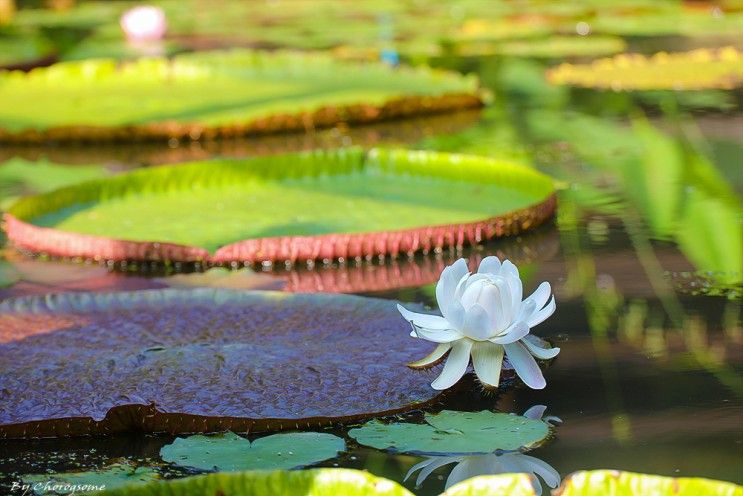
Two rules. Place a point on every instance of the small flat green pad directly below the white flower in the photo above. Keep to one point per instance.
(450, 432)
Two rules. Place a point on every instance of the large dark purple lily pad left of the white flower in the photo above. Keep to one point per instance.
(201, 360)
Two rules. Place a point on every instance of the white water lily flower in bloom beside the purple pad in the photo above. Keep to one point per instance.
(484, 317)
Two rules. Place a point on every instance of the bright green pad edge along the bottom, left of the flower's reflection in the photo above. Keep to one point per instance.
(316, 482)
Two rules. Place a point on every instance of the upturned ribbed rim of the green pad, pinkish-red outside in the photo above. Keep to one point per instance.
(26, 236)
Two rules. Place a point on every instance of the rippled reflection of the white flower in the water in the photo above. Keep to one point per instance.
(488, 464)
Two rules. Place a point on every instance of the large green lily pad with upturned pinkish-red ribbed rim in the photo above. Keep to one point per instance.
(322, 205)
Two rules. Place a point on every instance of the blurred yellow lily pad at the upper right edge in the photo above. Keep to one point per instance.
(695, 70)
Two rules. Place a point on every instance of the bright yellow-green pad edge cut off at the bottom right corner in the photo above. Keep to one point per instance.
(599, 482)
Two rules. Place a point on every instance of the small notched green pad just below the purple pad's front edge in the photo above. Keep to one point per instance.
(230, 453)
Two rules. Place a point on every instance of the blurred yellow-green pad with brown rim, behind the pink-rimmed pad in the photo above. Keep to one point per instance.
(212, 94)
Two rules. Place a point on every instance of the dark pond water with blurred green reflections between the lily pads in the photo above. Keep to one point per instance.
(648, 289)
